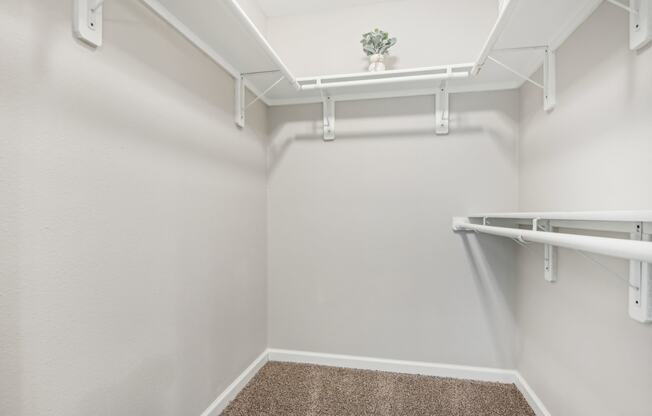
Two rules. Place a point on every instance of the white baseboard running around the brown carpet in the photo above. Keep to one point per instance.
(378, 364)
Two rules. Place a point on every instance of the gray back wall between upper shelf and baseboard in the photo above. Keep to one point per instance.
(362, 258)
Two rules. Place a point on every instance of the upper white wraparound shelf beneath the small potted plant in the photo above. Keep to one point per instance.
(225, 33)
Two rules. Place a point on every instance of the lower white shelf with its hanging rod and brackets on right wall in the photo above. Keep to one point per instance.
(542, 227)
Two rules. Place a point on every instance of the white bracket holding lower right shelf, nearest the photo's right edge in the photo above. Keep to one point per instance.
(640, 282)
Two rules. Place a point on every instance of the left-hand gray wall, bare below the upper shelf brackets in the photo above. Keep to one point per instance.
(133, 249)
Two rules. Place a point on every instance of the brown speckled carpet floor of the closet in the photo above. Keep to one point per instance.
(284, 389)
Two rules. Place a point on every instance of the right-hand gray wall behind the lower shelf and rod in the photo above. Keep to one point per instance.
(579, 350)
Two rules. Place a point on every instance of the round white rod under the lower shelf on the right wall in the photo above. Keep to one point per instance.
(614, 247)
